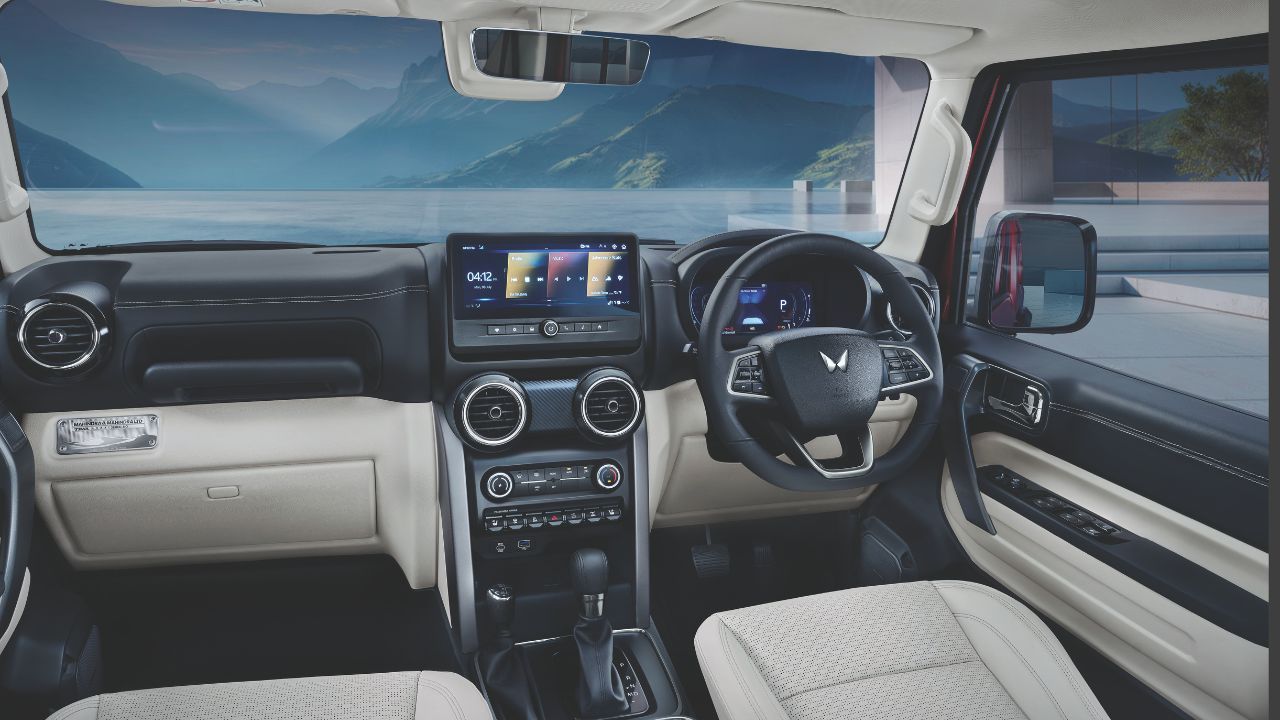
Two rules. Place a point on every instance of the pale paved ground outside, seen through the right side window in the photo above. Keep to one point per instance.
(1217, 356)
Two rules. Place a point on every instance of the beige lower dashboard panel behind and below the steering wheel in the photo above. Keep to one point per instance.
(688, 487)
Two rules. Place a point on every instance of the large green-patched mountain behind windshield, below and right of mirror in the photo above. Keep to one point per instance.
(762, 139)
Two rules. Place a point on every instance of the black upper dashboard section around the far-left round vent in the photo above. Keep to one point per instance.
(230, 326)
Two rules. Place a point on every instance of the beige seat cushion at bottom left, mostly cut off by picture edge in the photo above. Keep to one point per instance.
(391, 696)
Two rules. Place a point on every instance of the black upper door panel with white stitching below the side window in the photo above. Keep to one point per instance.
(1194, 457)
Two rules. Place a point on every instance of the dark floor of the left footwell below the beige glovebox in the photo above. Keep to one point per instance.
(266, 621)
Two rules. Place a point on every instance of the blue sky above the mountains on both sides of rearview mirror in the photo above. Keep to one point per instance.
(236, 49)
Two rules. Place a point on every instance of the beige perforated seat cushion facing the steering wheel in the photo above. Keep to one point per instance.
(911, 651)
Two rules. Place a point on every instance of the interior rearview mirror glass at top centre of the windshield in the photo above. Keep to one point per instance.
(559, 57)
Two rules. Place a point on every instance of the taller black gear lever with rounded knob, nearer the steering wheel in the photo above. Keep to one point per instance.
(600, 687)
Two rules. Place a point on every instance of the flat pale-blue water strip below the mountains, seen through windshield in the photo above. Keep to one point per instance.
(76, 218)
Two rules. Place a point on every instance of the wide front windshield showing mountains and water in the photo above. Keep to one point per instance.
(161, 125)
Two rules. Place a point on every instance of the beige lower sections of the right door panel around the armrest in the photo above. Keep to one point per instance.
(1196, 666)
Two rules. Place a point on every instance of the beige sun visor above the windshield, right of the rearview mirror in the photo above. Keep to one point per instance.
(813, 29)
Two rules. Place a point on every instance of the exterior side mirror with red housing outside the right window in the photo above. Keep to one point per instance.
(1039, 274)
